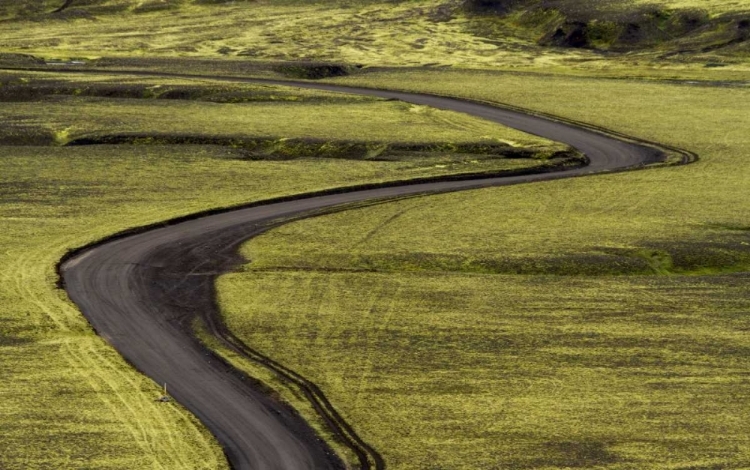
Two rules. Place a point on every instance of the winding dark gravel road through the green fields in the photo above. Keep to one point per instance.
(141, 292)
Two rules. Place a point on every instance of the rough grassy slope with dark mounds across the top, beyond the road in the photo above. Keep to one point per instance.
(474, 33)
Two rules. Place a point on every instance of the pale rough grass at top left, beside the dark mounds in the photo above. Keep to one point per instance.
(373, 33)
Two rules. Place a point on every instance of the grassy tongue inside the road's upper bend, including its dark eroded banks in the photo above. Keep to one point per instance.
(262, 123)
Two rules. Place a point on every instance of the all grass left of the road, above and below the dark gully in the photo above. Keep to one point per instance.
(67, 400)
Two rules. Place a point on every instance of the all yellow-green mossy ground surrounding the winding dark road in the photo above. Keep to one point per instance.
(588, 323)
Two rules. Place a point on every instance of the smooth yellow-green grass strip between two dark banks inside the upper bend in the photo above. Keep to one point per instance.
(368, 121)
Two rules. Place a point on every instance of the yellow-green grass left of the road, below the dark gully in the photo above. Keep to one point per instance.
(67, 399)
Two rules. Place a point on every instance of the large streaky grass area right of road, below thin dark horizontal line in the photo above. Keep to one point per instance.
(495, 371)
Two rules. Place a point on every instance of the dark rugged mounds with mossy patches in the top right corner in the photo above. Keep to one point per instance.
(622, 26)
